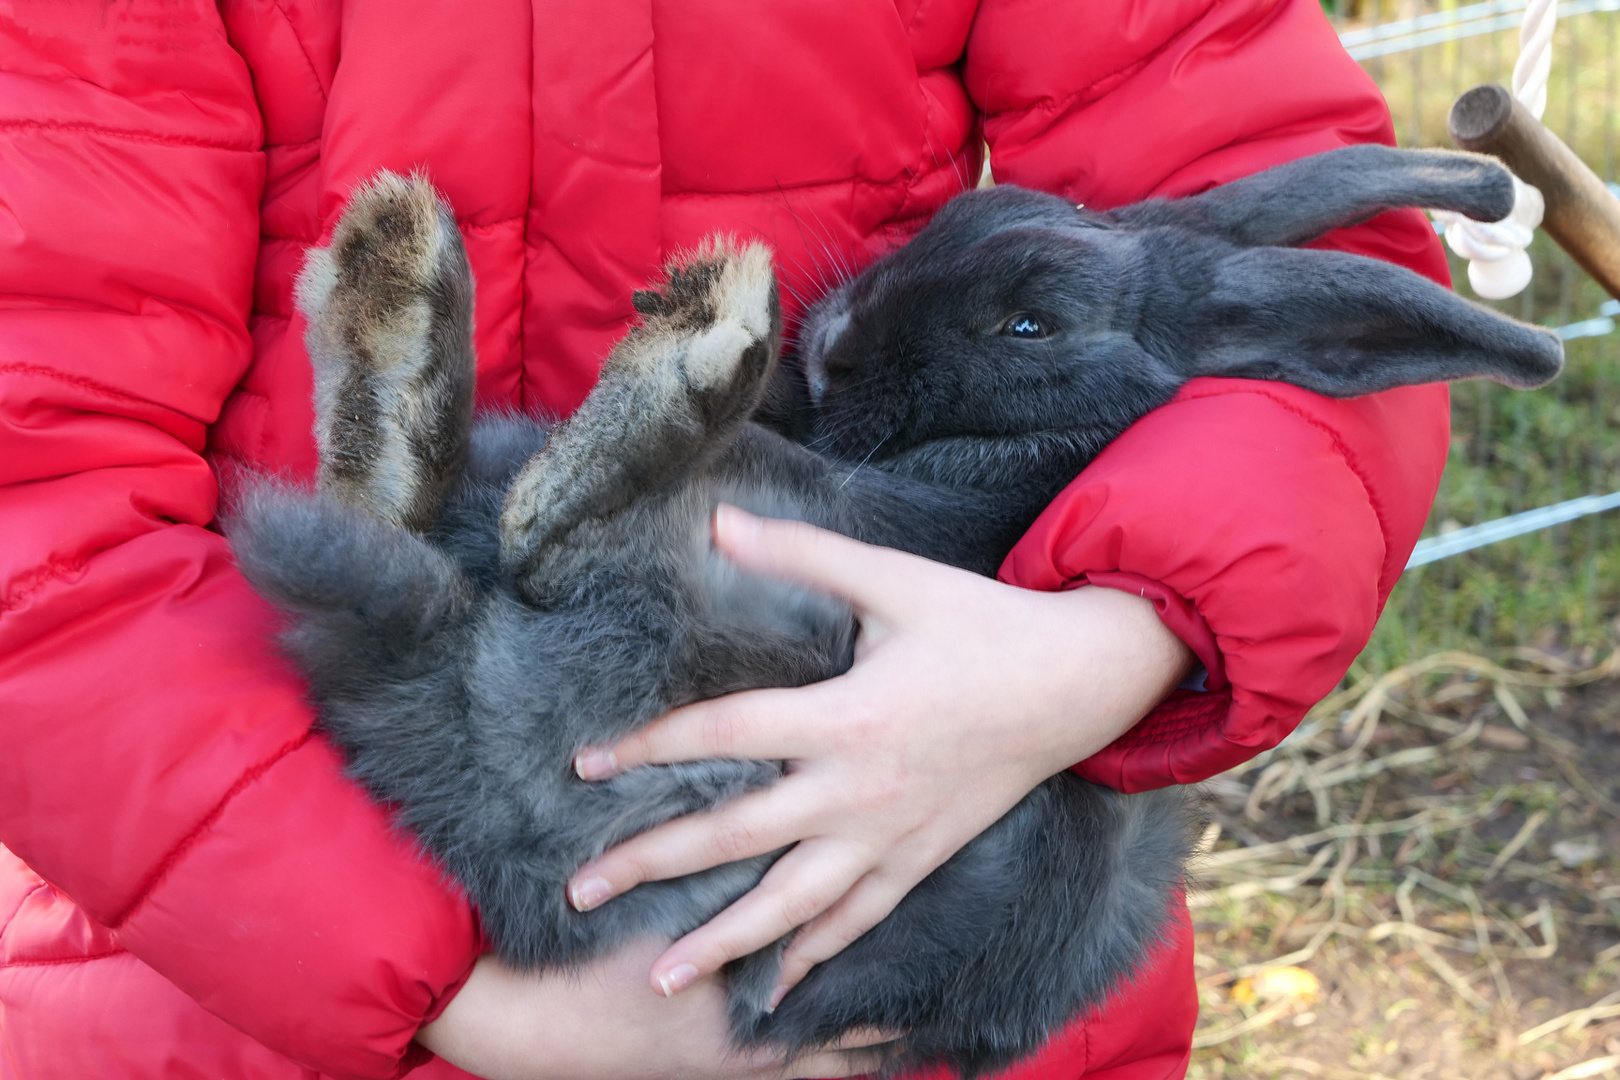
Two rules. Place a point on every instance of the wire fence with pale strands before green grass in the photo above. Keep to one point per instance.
(1551, 577)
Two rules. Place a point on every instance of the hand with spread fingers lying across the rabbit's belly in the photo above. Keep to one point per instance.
(966, 694)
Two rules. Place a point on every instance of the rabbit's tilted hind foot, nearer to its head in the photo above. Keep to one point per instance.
(671, 396)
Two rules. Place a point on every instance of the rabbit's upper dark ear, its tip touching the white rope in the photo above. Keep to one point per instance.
(1298, 202)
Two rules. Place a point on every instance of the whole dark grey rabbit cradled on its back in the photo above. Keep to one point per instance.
(474, 602)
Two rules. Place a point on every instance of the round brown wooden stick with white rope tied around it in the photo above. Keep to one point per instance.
(1584, 216)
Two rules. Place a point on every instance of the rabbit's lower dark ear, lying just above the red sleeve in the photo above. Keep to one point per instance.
(1344, 326)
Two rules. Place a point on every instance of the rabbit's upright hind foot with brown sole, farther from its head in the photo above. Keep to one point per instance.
(390, 307)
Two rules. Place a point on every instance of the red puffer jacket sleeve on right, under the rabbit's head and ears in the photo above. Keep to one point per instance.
(1268, 524)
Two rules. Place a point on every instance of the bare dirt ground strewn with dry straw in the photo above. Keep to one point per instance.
(1441, 851)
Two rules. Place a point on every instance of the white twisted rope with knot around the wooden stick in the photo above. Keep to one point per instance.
(1498, 265)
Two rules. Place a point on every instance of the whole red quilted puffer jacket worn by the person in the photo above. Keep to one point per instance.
(197, 890)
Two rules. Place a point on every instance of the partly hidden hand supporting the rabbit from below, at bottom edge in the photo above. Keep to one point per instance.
(607, 1024)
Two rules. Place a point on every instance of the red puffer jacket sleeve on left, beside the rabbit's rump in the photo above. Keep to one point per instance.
(156, 759)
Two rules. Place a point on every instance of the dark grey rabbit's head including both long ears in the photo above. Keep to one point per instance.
(1017, 313)
